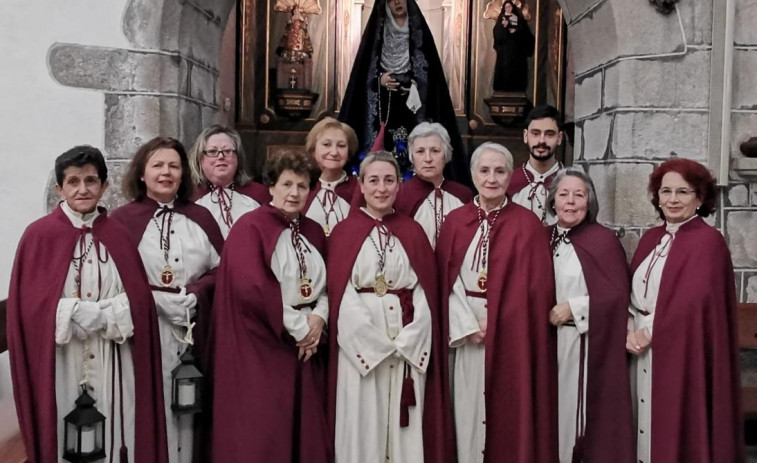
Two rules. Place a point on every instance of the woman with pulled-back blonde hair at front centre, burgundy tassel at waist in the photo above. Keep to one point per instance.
(345, 258)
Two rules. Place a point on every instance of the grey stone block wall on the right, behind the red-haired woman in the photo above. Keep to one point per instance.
(643, 95)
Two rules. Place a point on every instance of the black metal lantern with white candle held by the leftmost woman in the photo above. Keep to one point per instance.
(84, 431)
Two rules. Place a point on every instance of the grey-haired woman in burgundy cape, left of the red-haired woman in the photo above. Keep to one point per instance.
(591, 315)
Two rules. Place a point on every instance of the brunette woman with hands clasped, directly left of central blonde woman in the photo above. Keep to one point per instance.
(270, 308)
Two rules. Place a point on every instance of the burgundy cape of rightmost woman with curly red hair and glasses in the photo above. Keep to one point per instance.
(696, 382)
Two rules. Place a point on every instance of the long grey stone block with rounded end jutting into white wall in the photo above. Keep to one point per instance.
(112, 69)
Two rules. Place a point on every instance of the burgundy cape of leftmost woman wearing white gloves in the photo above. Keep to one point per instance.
(39, 272)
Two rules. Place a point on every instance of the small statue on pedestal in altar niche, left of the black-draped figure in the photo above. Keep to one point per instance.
(294, 68)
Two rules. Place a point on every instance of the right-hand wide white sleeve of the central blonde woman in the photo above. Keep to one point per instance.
(414, 340)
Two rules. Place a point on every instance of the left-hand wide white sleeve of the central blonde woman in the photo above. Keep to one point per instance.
(365, 344)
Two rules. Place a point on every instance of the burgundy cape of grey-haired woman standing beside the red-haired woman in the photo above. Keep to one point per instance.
(609, 433)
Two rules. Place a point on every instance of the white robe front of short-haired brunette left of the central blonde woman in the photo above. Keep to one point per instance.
(285, 266)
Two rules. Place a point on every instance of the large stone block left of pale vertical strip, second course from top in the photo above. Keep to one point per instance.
(682, 82)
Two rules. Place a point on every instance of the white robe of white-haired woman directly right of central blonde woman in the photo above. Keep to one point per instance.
(467, 359)
